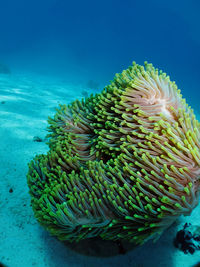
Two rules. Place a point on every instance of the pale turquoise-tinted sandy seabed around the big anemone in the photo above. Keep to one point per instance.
(29, 100)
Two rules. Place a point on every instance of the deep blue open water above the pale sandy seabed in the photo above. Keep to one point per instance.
(96, 39)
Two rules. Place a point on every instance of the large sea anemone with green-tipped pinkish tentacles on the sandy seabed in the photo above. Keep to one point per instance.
(122, 164)
